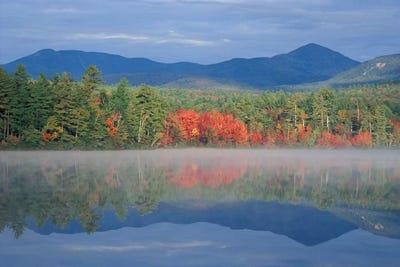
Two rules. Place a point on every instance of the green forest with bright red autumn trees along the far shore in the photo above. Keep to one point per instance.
(61, 113)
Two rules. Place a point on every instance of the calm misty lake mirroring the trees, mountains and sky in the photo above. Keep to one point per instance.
(200, 207)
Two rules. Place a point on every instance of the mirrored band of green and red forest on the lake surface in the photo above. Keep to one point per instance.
(59, 192)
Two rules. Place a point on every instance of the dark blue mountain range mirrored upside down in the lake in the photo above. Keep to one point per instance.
(304, 224)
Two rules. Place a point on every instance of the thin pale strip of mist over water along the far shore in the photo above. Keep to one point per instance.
(383, 158)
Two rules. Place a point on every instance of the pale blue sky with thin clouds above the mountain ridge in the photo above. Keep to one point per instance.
(202, 31)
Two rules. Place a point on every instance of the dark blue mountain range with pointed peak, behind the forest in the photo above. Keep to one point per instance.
(309, 63)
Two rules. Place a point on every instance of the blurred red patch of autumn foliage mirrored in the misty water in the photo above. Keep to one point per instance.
(191, 175)
